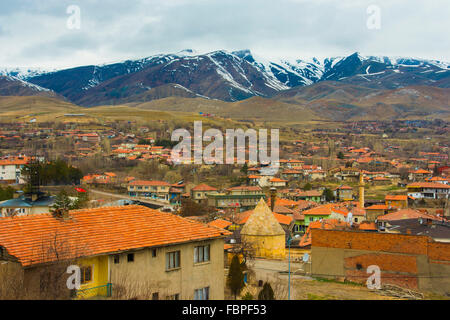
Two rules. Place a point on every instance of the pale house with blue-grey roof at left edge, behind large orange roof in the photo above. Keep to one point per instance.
(26, 204)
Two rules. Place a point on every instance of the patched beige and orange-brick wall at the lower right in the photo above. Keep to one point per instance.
(413, 262)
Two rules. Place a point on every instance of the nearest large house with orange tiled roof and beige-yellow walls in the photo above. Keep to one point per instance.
(118, 249)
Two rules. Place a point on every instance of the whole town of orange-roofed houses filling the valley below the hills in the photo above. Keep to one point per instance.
(341, 201)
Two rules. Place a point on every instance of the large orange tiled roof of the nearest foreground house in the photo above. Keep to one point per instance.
(97, 231)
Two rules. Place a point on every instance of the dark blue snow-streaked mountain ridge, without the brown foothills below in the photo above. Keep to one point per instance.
(232, 76)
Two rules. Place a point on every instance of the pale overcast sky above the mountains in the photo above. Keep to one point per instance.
(34, 33)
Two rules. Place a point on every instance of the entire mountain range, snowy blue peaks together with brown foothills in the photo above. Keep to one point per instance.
(336, 88)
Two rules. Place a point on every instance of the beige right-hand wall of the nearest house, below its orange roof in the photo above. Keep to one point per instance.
(147, 274)
